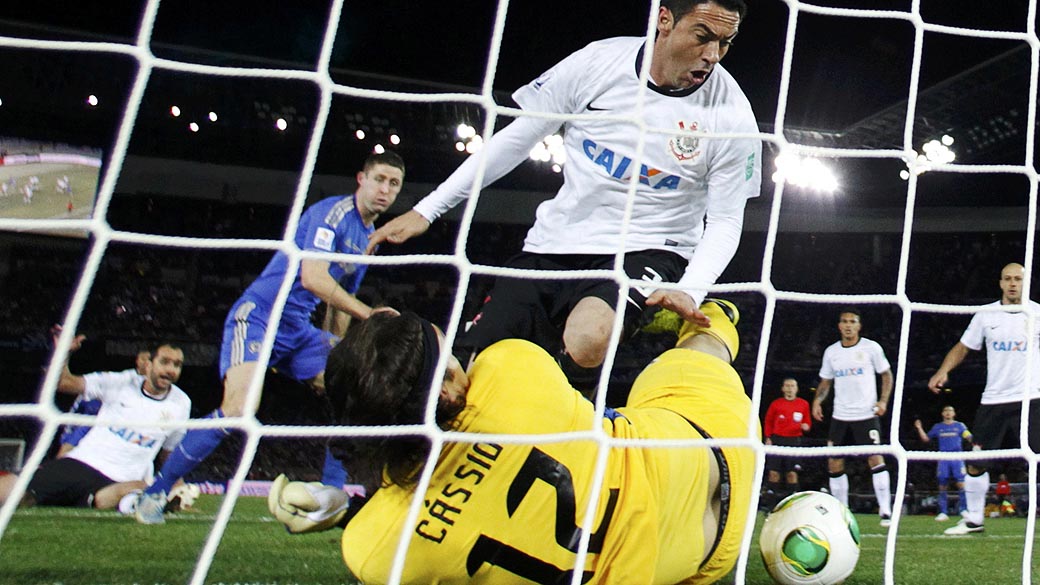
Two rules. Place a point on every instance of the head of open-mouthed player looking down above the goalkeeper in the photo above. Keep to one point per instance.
(693, 37)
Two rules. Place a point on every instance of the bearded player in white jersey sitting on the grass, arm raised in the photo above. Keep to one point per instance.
(117, 456)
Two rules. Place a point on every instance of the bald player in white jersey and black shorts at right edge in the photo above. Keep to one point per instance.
(1008, 344)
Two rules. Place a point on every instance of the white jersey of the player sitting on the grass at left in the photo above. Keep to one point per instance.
(115, 448)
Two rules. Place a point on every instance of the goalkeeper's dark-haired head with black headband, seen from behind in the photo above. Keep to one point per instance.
(381, 374)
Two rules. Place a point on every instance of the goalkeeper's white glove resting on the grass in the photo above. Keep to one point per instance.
(306, 507)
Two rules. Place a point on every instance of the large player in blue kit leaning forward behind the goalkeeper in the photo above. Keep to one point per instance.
(339, 224)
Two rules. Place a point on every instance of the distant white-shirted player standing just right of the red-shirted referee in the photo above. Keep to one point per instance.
(852, 366)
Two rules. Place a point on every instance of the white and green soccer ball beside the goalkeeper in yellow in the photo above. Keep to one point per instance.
(810, 539)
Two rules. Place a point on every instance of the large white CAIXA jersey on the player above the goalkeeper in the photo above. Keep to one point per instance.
(684, 176)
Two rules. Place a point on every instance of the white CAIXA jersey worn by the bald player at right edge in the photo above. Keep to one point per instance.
(1007, 346)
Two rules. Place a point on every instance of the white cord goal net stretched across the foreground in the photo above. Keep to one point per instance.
(105, 237)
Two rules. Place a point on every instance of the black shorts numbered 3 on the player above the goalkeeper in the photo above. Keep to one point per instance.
(537, 311)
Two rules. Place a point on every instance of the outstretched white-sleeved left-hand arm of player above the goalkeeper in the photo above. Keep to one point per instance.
(504, 152)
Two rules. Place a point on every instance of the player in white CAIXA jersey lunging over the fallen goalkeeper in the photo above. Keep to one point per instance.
(690, 189)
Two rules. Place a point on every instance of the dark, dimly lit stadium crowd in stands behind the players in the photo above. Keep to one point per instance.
(186, 294)
